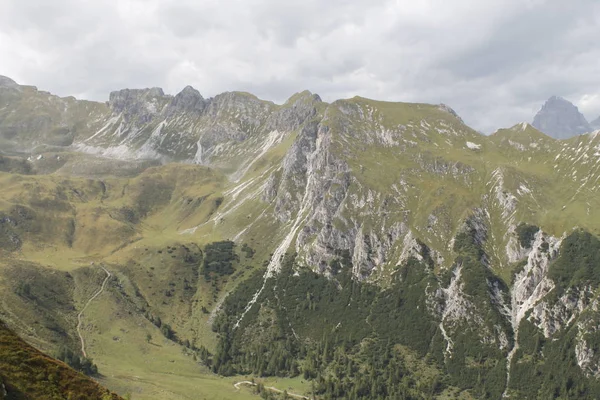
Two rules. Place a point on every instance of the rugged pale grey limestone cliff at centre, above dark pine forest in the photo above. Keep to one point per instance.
(343, 213)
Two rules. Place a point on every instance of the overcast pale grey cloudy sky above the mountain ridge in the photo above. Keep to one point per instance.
(493, 61)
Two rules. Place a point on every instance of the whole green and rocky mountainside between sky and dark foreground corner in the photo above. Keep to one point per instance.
(229, 247)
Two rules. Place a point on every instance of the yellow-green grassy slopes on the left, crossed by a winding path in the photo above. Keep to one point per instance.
(56, 231)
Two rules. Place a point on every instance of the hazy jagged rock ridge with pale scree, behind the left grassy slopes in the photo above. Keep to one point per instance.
(228, 130)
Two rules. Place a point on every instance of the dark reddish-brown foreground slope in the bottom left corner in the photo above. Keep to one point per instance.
(27, 373)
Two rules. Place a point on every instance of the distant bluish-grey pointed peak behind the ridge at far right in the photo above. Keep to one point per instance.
(560, 119)
